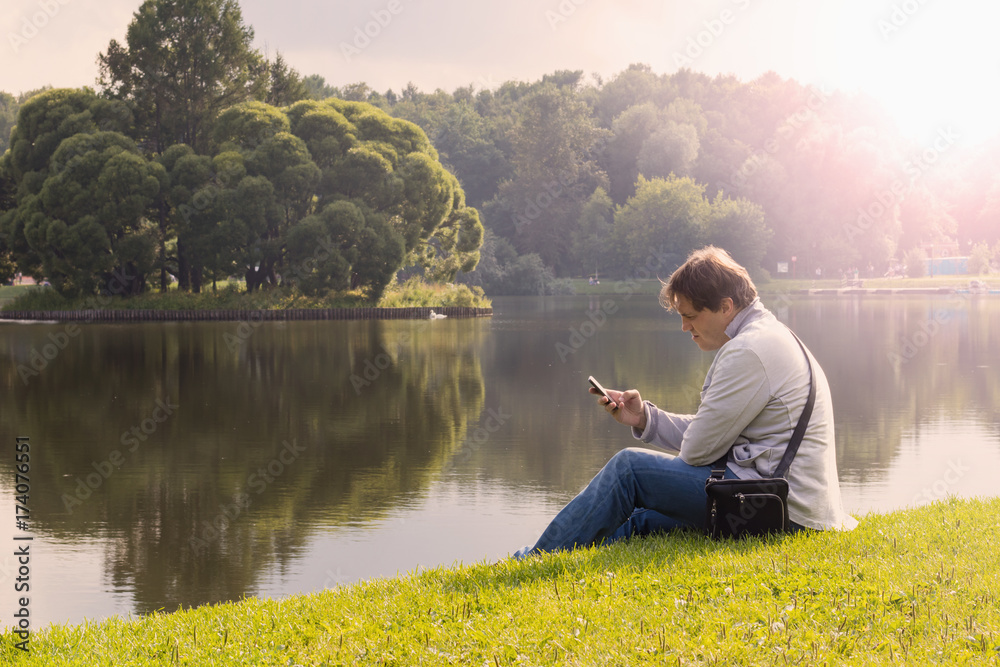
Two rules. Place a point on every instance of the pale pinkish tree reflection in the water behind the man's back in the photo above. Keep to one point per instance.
(920, 357)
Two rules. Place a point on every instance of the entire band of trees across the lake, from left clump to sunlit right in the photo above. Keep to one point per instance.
(564, 176)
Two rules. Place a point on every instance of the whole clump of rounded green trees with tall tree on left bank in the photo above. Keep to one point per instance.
(199, 175)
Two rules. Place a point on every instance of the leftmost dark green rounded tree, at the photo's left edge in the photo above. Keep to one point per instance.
(79, 215)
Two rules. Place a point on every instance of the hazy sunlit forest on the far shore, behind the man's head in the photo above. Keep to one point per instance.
(818, 175)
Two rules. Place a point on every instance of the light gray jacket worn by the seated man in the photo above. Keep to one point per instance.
(753, 395)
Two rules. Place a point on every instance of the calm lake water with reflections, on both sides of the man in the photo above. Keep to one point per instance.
(182, 464)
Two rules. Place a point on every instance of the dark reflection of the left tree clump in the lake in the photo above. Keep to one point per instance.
(175, 516)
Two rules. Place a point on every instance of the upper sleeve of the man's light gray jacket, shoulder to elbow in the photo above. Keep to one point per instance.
(738, 392)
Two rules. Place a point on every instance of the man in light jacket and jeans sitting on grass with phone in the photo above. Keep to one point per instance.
(753, 395)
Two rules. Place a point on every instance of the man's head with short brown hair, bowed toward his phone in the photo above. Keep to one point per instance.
(707, 291)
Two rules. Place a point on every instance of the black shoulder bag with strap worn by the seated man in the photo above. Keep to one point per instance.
(749, 507)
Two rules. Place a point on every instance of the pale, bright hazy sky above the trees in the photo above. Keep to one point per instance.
(933, 64)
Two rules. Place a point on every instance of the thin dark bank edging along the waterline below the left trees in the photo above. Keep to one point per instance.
(239, 315)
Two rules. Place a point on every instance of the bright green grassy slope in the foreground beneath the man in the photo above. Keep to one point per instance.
(913, 587)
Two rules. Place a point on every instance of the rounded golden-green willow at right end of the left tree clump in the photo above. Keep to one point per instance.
(354, 195)
